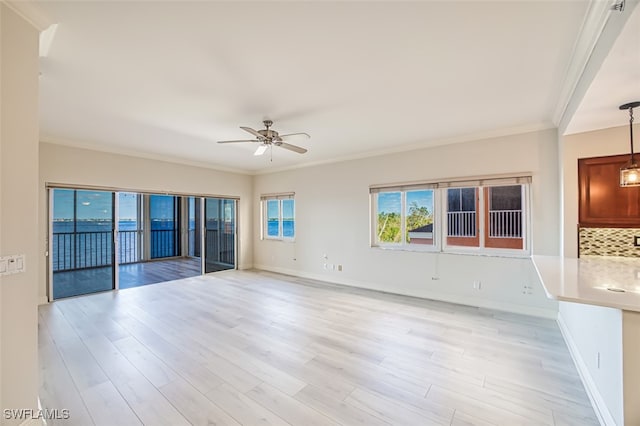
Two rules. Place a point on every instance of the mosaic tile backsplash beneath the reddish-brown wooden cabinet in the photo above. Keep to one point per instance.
(608, 242)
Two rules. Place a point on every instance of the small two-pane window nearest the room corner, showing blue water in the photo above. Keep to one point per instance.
(278, 212)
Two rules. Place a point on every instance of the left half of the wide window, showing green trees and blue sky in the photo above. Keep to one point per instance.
(404, 218)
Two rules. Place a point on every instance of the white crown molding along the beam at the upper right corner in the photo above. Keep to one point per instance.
(600, 28)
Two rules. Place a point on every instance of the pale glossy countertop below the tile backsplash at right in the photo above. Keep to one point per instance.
(594, 280)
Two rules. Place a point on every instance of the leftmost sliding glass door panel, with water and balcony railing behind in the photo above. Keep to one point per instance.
(82, 246)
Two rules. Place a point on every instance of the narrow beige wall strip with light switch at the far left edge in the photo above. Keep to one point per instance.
(19, 206)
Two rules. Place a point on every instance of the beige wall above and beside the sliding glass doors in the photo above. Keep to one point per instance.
(75, 166)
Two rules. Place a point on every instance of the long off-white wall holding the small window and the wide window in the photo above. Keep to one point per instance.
(332, 217)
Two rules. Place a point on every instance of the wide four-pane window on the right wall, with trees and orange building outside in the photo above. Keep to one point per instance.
(482, 216)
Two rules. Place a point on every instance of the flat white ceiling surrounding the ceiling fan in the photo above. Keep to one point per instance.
(168, 79)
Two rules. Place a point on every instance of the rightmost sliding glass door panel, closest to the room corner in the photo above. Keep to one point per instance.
(220, 234)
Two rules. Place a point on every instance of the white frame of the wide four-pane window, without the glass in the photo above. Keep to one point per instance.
(440, 207)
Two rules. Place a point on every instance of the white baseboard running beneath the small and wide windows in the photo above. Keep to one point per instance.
(444, 297)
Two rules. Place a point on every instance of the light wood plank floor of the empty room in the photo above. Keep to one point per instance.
(256, 348)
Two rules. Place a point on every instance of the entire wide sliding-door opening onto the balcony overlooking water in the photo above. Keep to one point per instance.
(156, 238)
